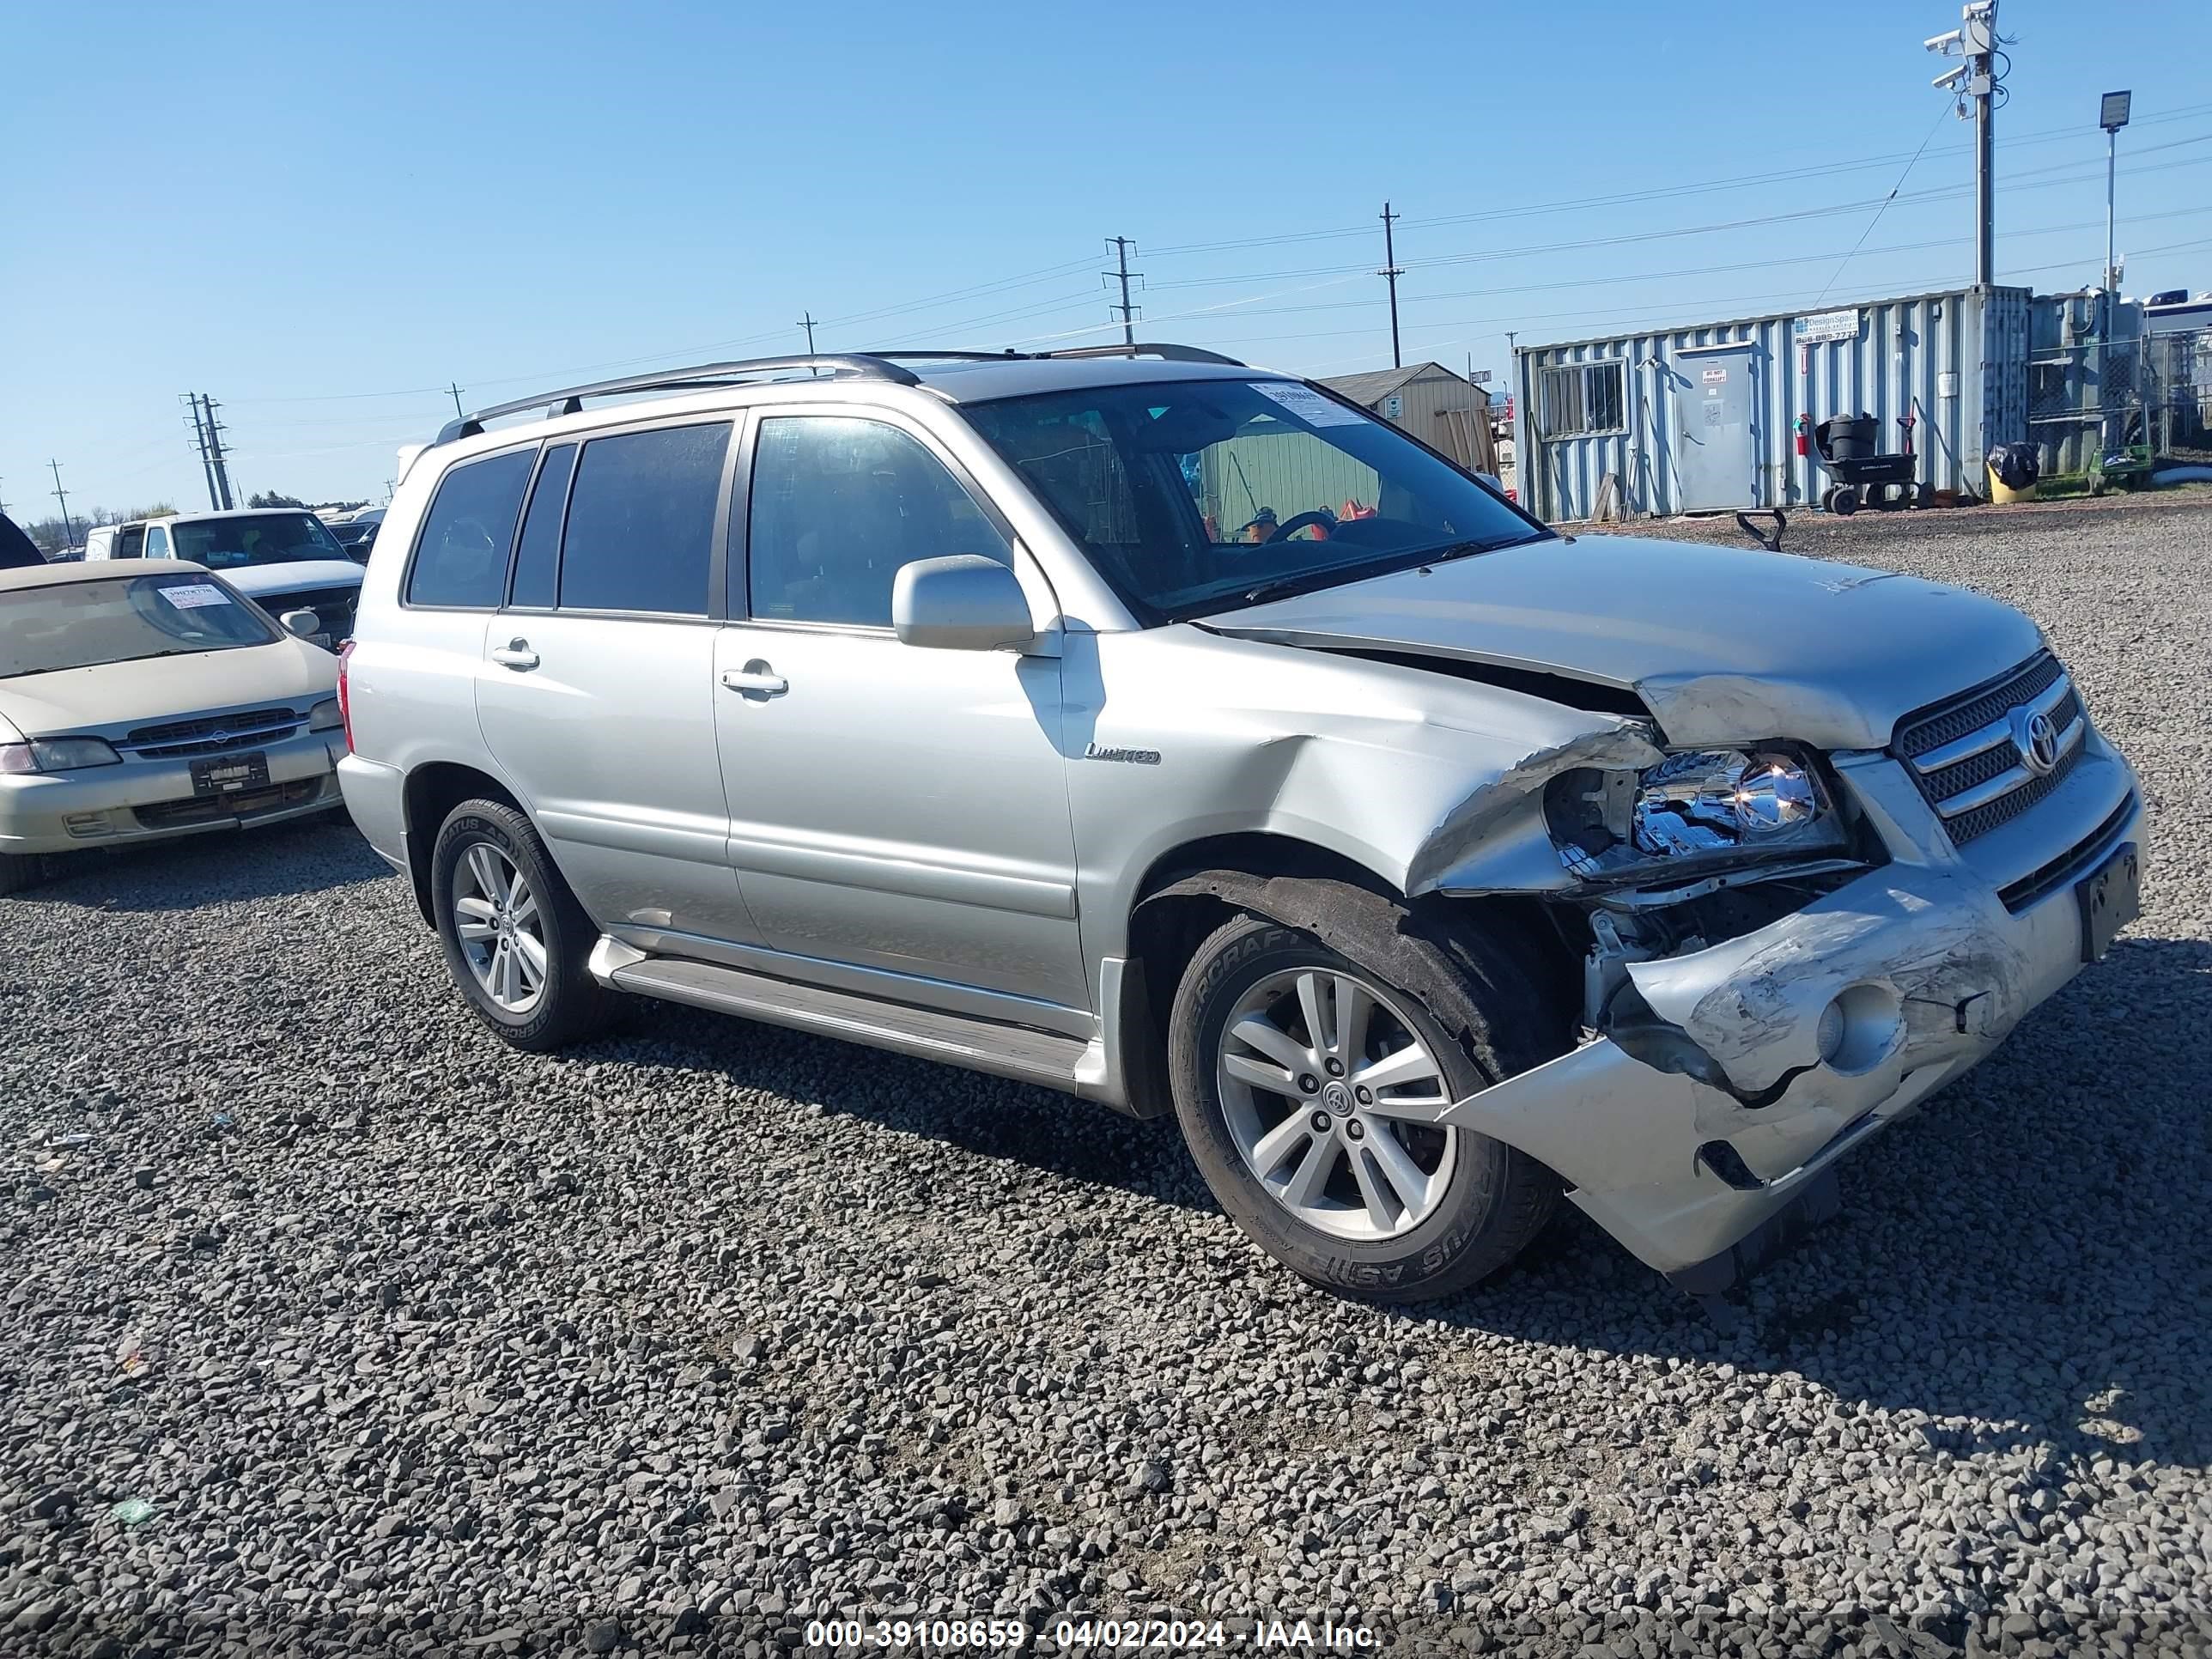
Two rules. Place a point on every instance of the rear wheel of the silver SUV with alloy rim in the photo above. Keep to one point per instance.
(514, 937)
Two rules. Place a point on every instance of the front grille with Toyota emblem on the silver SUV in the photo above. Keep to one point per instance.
(1972, 755)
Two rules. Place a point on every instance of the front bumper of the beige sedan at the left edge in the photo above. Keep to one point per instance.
(134, 802)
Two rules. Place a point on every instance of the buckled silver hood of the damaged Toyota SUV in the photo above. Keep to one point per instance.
(1722, 645)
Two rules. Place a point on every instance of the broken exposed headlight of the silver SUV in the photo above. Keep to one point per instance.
(1691, 811)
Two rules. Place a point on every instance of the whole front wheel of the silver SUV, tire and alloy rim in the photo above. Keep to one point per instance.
(1308, 1083)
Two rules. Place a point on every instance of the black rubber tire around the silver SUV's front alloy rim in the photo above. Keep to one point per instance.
(1434, 1258)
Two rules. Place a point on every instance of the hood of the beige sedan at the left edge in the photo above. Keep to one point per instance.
(165, 689)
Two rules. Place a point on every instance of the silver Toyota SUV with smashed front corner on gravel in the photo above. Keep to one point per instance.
(1178, 735)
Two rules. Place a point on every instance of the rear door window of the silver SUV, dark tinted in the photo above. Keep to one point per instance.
(643, 521)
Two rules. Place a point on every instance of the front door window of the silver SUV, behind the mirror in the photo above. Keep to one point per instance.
(839, 505)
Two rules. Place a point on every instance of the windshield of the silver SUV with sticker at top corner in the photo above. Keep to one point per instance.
(1198, 497)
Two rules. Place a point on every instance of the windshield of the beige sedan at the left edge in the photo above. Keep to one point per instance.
(83, 625)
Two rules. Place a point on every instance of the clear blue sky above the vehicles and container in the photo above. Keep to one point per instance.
(326, 216)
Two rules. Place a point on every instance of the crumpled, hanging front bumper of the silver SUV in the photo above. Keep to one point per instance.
(1704, 1127)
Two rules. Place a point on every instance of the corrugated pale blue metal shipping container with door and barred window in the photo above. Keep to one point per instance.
(1704, 417)
